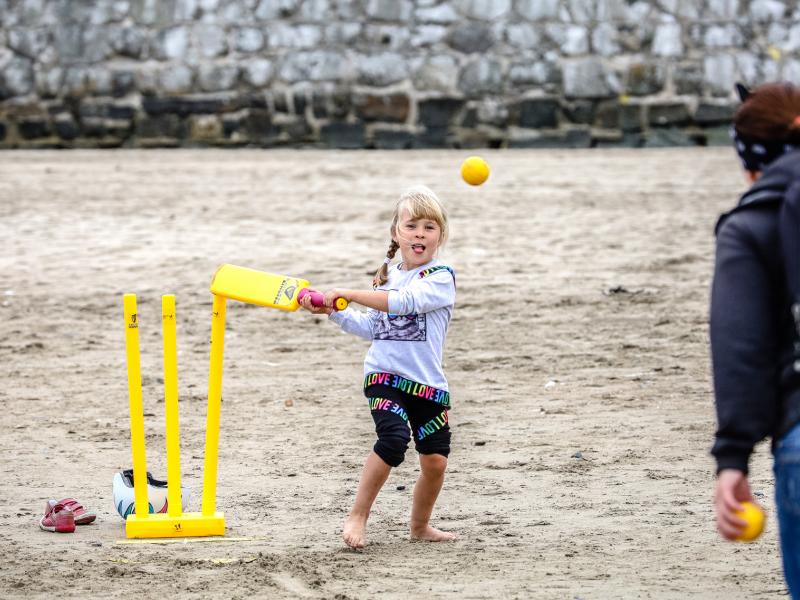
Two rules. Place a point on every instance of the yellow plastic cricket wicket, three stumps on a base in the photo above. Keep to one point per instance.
(175, 523)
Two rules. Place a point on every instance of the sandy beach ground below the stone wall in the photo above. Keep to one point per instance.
(577, 356)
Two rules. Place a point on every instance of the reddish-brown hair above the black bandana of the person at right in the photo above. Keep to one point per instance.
(770, 113)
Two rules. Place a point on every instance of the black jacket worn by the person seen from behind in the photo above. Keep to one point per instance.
(756, 387)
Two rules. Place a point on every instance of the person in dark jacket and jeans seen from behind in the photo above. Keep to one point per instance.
(754, 336)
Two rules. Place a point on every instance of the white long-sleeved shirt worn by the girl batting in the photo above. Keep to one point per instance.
(409, 339)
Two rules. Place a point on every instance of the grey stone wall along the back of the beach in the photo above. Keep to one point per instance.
(384, 73)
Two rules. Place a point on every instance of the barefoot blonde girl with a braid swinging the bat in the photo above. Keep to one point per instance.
(408, 313)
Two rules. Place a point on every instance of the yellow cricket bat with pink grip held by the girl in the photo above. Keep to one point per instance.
(266, 289)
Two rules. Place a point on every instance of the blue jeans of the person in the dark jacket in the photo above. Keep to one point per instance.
(787, 501)
